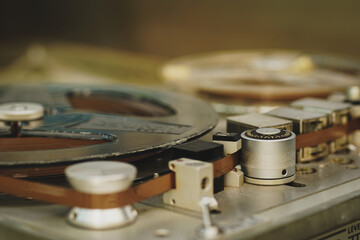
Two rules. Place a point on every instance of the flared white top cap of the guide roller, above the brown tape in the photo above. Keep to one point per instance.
(101, 177)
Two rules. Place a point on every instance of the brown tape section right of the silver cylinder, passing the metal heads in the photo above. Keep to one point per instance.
(326, 135)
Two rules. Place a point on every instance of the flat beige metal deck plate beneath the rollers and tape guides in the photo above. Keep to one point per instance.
(330, 199)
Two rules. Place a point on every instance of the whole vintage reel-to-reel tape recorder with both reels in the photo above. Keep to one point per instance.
(122, 162)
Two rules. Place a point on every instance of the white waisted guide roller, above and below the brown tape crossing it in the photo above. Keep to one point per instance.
(101, 177)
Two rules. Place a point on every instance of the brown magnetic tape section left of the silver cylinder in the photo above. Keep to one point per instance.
(68, 197)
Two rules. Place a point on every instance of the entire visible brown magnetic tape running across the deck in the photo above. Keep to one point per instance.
(64, 196)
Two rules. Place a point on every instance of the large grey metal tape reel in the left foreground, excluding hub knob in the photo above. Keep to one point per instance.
(84, 123)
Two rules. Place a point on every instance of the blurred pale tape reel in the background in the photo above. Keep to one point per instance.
(262, 75)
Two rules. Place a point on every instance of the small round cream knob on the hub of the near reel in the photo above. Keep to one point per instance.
(21, 111)
